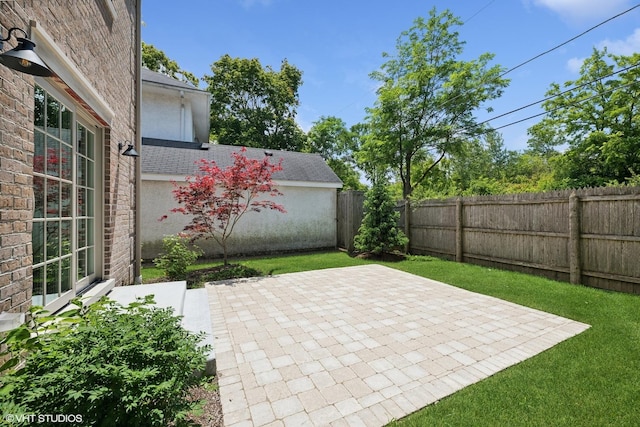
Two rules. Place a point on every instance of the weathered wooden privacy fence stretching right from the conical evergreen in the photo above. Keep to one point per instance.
(589, 236)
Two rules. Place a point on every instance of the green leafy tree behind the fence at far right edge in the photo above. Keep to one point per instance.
(596, 118)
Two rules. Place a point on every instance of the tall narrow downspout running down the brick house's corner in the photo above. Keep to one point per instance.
(137, 268)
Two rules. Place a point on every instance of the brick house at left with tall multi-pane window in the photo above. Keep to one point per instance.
(68, 205)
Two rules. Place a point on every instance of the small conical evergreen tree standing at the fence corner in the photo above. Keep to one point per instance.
(379, 232)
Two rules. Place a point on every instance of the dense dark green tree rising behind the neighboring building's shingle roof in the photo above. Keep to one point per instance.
(254, 106)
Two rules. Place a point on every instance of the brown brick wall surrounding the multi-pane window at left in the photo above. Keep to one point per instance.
(103, 48)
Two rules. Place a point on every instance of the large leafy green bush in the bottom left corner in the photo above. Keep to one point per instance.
(112, 365)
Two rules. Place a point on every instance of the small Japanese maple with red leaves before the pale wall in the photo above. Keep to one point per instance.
(217, 198)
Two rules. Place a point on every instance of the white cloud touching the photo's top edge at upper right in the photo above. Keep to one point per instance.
(584, 10)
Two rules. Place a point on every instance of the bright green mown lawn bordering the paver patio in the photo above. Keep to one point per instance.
(592, 379)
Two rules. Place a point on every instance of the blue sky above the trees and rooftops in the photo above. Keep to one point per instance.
(338, 43)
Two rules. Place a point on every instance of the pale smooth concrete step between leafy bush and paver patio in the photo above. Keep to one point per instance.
(191, 304)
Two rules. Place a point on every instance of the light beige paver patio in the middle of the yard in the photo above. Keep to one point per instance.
(361, 346)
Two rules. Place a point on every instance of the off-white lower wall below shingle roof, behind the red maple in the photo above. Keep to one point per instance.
(310, 222)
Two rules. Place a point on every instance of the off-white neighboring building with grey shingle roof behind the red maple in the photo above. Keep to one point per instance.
(175, 131)
